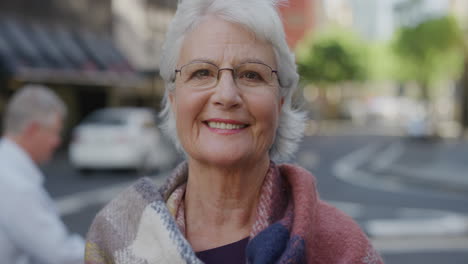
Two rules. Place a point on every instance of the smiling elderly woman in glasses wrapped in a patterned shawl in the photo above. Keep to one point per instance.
(229, 79)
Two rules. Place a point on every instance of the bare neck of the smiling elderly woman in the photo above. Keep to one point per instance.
(221, 204)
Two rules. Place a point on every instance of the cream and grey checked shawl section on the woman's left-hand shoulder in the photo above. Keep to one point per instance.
(127, 229)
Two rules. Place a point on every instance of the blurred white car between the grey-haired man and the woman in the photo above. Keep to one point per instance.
(120, 138)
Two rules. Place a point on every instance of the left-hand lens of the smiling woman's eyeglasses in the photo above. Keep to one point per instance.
(199, 74)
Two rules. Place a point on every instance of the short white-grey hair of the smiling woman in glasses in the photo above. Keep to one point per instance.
(262, 18)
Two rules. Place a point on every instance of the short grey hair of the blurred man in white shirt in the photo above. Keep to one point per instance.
(32, 103)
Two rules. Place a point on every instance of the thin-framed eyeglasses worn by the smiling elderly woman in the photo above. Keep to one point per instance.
(201, 74)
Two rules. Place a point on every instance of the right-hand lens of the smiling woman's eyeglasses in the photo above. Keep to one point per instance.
(254, 74)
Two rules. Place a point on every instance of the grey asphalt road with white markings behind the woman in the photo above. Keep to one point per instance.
(386, 183)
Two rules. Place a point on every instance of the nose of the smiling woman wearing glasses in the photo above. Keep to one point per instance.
(227, 94)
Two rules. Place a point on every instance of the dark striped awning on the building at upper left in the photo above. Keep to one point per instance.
(35, 52)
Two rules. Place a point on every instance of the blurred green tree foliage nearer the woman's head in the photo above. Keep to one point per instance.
(332, 57)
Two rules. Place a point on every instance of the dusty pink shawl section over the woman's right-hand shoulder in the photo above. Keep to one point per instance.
(336, 238)
